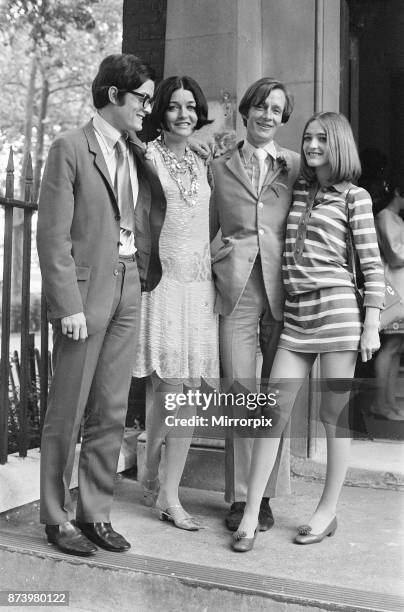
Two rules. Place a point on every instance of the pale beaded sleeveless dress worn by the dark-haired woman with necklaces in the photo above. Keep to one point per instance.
(178, 329)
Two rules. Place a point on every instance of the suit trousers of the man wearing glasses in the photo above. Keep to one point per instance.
(89, 390)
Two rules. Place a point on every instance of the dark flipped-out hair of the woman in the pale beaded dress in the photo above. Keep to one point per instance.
(163, 95)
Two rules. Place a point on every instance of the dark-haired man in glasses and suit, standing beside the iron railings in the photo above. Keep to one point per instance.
(101, 209)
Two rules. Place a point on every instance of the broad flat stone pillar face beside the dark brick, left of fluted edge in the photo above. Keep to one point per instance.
(220, 45)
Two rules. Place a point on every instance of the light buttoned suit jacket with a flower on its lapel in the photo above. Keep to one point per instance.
(250, 223)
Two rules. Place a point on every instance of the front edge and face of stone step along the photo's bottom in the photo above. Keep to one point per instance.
(130, 582)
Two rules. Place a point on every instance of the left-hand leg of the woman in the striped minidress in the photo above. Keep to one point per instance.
(297, 366)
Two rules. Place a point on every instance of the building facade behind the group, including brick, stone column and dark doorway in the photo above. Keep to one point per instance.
(340, 55)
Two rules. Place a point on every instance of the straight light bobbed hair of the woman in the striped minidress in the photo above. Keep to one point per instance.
(343, 154)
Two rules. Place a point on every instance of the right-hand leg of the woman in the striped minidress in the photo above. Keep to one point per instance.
(339, 365)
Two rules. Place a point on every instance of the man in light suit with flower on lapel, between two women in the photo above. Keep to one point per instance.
(253, 190)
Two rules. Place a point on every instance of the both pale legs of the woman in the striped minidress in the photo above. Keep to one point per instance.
(339, 365)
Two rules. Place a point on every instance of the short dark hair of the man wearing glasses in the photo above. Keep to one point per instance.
(123, 71)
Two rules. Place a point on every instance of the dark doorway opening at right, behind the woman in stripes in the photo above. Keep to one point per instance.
(372, 97)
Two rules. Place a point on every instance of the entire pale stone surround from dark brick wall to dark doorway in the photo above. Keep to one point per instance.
(226, 45)
